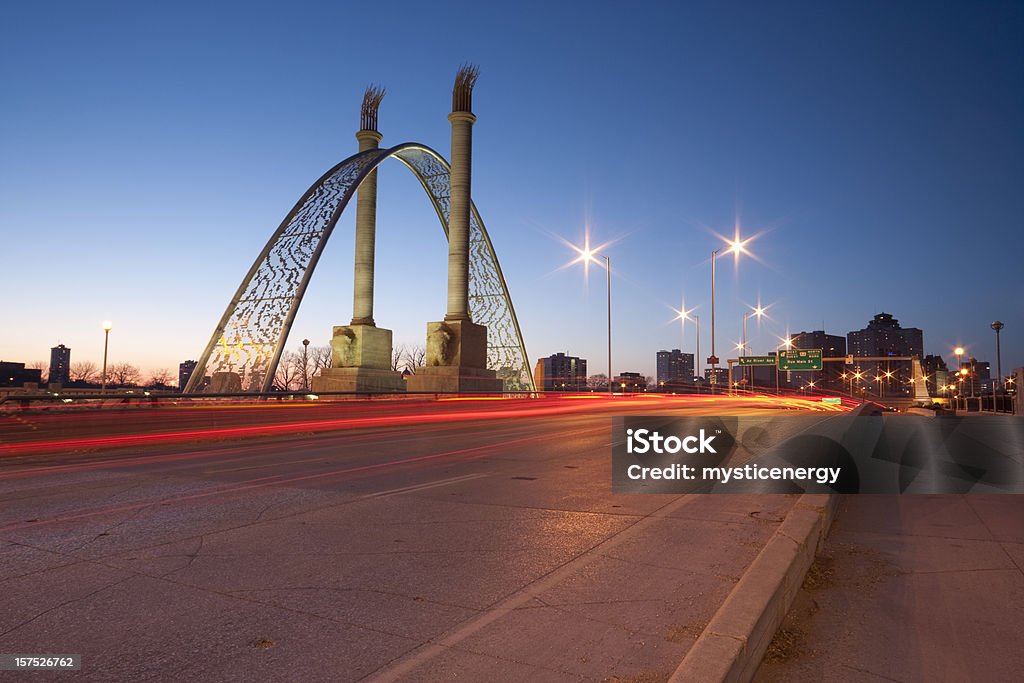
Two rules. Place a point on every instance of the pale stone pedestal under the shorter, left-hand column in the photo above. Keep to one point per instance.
(361, 362)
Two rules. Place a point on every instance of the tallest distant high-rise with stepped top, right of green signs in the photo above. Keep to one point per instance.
(884, 337)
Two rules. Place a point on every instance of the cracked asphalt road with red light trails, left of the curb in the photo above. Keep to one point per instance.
(459, 540)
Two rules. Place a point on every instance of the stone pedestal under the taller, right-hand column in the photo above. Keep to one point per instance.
(457, 361)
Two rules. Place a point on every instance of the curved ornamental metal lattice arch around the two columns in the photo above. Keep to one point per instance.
(251, 335)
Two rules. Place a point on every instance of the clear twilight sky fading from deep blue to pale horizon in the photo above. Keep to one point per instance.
(147, 154)
